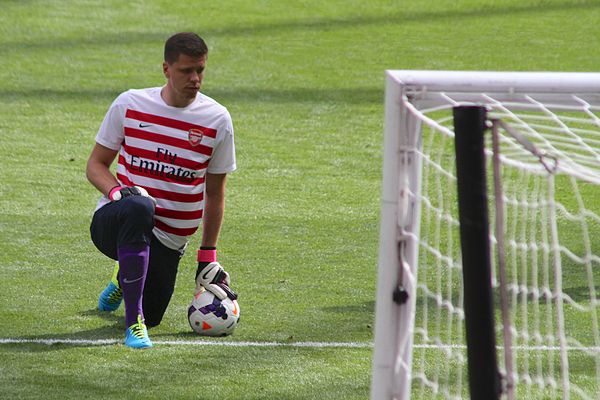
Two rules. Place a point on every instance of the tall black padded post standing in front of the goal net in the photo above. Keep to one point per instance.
(469, 127)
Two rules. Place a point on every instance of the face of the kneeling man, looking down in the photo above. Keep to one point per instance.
(185, 76)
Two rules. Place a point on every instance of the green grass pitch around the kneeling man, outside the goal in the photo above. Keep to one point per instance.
(304, 84)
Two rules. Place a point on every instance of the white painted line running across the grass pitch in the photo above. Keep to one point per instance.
(348, 345)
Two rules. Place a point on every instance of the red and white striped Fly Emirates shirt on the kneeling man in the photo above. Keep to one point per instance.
(168, 150)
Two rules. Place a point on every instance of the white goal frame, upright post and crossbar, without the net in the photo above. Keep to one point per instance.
(405, 93)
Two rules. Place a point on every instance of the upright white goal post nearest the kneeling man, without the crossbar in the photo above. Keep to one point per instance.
(398, 248)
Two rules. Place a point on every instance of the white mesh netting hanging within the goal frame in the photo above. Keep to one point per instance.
(550, 168)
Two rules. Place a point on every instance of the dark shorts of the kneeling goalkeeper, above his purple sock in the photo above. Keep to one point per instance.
(130, 221)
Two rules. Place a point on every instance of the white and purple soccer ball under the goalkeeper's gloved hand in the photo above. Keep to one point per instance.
(209, 316)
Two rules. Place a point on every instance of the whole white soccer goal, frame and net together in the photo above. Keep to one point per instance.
(544, 235)
